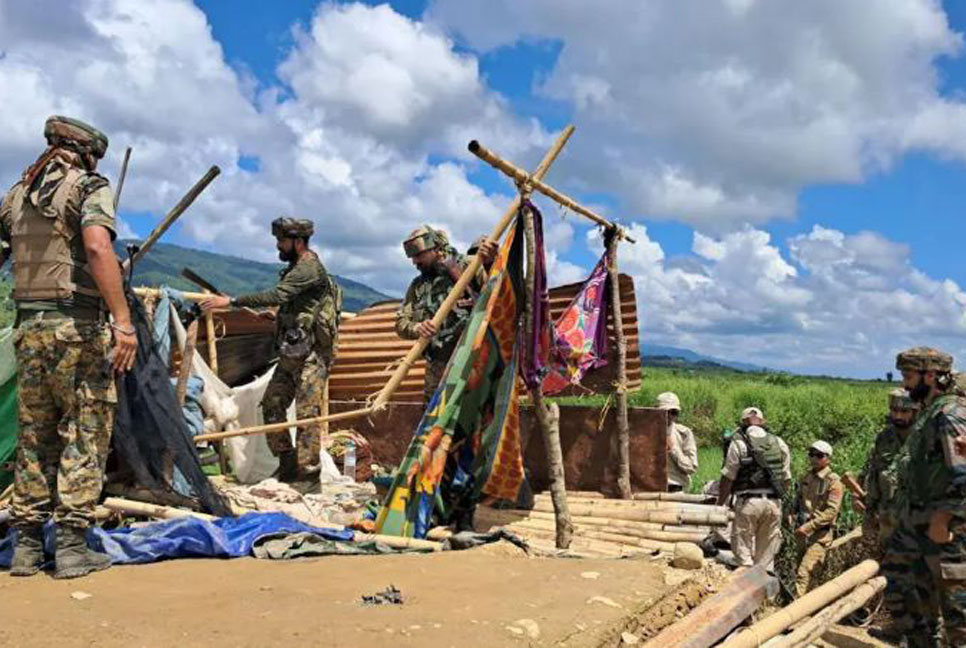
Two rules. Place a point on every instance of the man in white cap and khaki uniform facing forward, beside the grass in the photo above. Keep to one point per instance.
(819, 496)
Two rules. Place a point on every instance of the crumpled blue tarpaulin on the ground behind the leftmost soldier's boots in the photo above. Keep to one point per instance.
(186, 537)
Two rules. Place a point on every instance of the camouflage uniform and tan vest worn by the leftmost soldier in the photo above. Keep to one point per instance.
(66, 391)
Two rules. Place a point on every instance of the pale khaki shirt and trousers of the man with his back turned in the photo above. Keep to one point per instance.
(756, 532)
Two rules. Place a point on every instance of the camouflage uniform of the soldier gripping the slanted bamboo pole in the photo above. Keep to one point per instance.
(423, 298)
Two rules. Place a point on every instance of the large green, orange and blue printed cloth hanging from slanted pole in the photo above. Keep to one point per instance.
(468, 441)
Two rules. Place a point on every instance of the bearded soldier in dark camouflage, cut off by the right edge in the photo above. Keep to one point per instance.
(925, 561)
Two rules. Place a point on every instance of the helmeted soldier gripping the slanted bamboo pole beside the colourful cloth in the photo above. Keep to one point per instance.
(440, 266)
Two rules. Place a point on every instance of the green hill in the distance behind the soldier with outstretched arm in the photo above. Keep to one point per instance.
(232, 275)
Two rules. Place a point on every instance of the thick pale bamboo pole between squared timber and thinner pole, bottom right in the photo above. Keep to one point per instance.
(778, 622)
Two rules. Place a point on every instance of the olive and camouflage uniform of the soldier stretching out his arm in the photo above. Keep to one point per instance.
(308, 301)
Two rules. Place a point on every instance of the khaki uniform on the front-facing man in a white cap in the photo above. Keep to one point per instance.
(821, 497)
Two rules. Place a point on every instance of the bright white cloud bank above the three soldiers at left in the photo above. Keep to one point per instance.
(373, 101)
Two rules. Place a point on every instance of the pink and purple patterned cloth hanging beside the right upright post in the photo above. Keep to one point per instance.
(580, 334)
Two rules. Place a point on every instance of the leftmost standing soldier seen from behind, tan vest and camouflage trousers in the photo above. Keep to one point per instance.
(57, 223)
